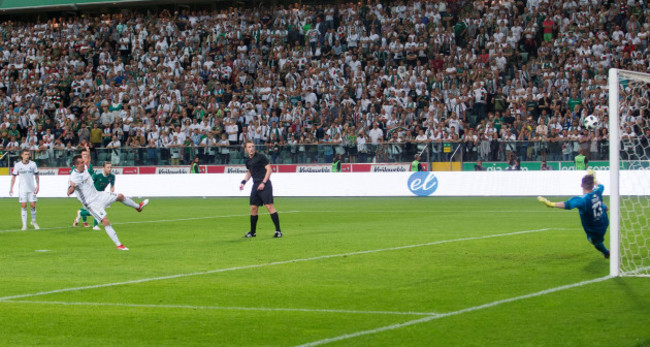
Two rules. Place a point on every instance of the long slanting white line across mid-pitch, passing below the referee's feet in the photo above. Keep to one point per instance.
(255, 266)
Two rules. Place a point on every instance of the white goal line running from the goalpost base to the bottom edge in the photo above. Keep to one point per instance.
(454, 313)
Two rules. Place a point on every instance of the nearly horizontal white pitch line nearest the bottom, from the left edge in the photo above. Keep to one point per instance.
(230, 308)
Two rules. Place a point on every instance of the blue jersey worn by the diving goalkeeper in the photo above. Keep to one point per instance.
(593, 211)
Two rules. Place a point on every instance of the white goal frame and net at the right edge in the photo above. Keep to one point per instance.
(629, 133)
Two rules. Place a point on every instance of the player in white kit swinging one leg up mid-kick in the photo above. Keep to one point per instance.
(81, 183)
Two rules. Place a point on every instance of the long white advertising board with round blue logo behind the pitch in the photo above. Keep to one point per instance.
(432, 184)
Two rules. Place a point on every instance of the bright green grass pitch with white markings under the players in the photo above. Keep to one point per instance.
(358, 272)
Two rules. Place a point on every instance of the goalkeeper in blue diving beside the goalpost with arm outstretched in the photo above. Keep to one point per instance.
(592, 209)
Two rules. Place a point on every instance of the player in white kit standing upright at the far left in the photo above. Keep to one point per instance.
(27, 190)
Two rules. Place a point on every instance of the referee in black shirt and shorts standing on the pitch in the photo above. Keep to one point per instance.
(262, 192)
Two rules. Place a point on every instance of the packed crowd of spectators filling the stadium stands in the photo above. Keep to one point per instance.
(371, 81)
